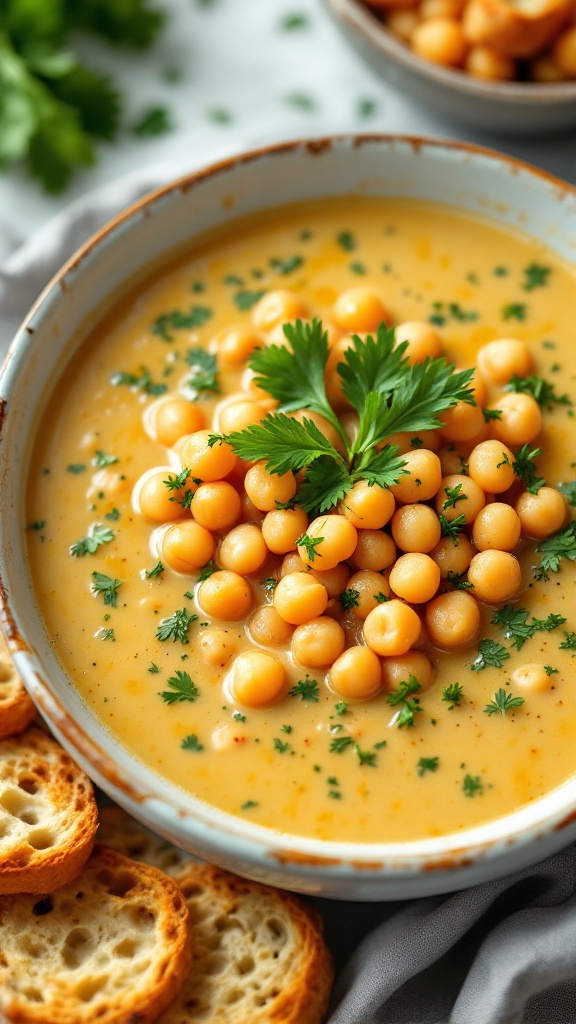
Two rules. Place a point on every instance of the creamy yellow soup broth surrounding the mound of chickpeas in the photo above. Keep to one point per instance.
(276, 767)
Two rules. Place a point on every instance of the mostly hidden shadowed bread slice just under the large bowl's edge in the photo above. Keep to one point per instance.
(122, 833)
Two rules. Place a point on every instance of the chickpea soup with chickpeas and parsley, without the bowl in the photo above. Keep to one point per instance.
(300, 522)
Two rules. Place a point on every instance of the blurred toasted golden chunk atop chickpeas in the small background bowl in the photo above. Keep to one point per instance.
(515, 28)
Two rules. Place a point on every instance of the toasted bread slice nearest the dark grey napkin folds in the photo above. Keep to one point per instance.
(260, 956)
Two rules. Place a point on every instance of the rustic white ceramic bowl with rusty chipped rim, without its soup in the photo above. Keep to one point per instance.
(467, 178)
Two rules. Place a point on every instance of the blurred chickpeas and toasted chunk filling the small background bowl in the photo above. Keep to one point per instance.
(489, 39)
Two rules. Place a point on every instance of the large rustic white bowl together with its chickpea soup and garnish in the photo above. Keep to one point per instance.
(287, 546)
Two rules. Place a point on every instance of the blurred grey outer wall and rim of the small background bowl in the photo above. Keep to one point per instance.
(511, 108)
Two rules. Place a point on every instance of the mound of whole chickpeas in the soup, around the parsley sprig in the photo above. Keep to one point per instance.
(383, 546)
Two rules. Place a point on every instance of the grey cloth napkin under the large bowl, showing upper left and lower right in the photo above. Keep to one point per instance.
(504, 953)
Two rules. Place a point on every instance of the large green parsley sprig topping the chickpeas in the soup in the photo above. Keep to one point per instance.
(389, 395)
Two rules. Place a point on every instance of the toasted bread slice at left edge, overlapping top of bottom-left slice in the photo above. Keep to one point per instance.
(49, 816)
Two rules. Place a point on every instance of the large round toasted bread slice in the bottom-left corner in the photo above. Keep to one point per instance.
(111, 948)
